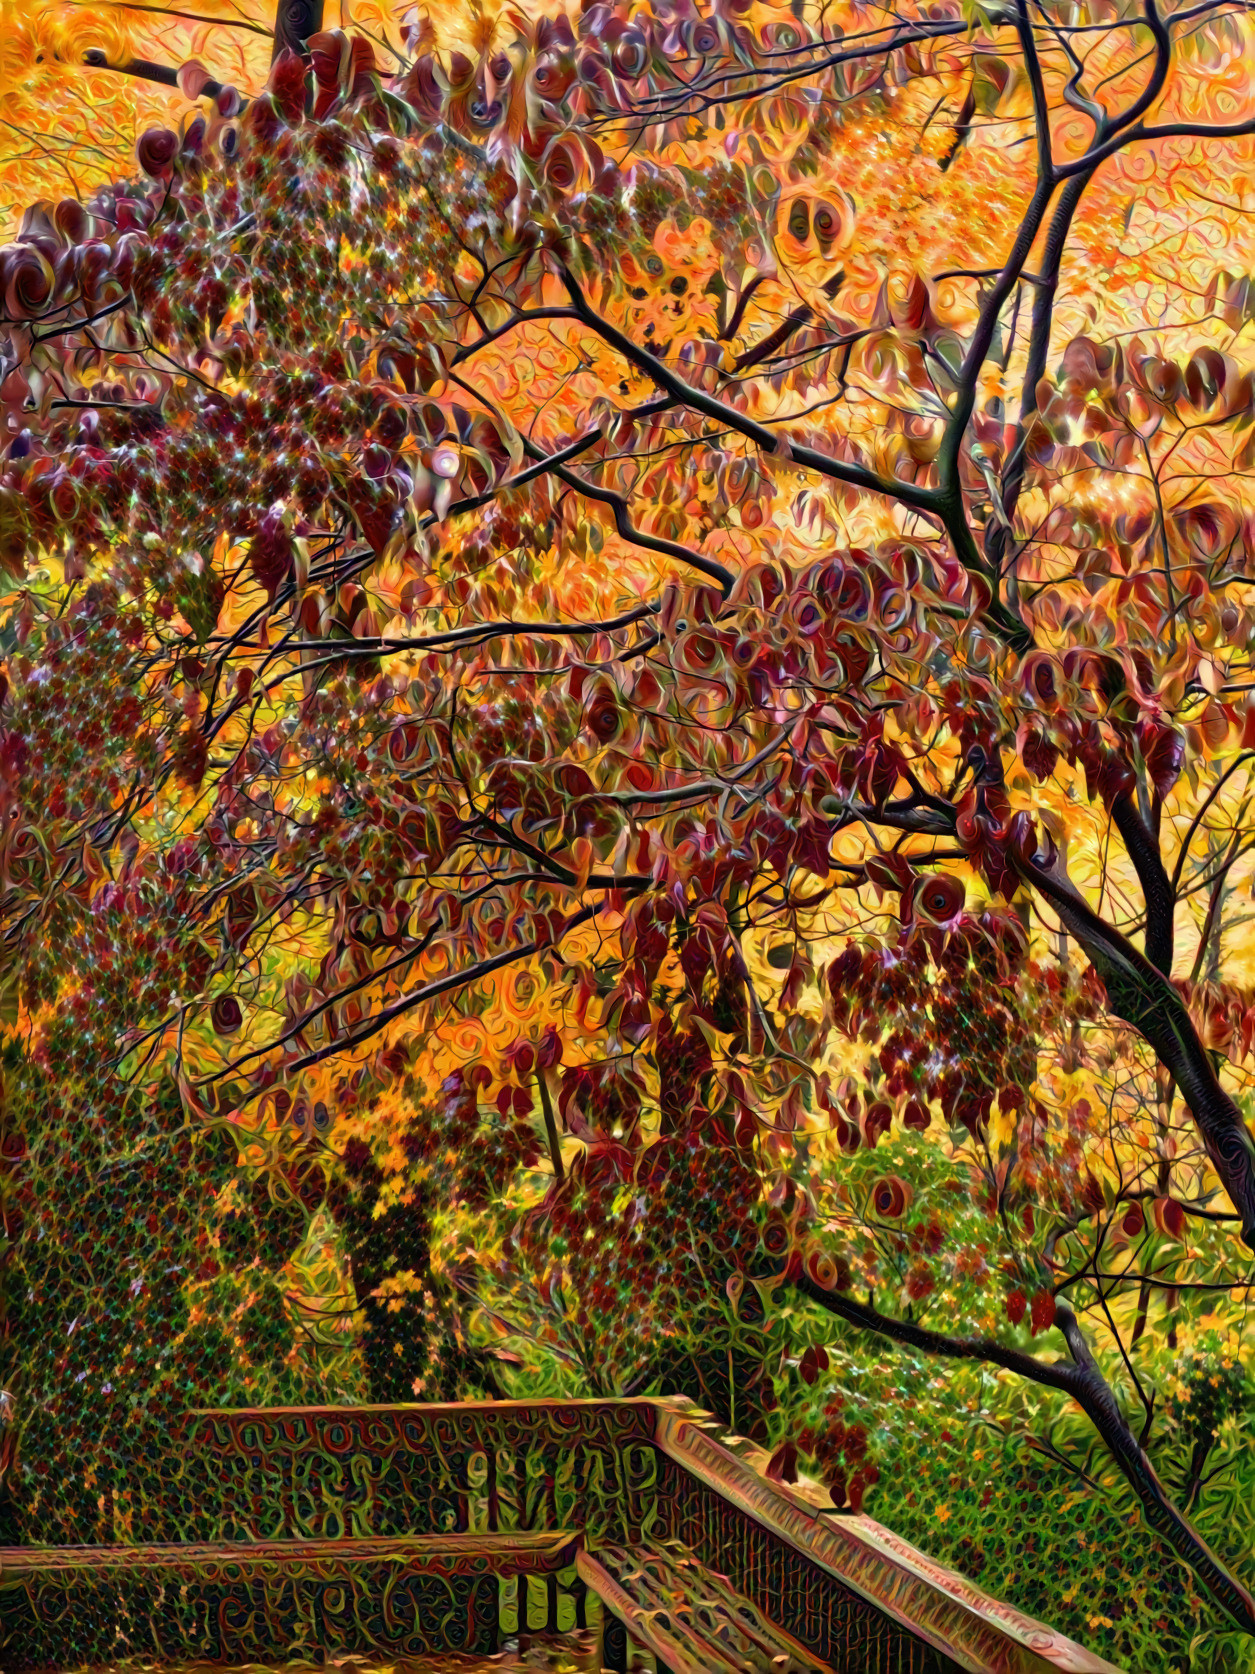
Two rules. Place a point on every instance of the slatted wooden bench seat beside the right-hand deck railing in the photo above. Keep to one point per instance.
(692, 1620)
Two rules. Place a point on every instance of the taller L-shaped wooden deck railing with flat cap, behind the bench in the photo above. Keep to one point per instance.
(615, 1474)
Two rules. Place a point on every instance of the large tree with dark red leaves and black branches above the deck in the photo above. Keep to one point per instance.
(645, 501)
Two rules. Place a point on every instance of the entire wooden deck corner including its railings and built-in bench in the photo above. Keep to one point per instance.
(421, 1539)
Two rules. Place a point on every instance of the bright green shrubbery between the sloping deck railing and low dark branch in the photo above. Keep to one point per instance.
(1003, 1482)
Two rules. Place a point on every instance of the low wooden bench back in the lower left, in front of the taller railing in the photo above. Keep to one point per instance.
(259, 1601)
